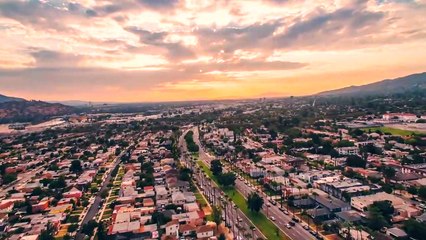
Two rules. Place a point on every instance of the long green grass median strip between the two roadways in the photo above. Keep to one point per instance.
(261, 221)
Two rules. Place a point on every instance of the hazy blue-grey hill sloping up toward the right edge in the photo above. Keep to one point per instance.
(414, 82)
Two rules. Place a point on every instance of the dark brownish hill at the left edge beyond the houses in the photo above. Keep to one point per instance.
(21, 110)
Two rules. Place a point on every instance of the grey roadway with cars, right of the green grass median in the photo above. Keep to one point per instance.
(281, 220)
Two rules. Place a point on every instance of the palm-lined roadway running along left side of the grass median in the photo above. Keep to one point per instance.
(239, 224)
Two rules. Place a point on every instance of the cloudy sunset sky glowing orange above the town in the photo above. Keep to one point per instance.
(167, 50)
